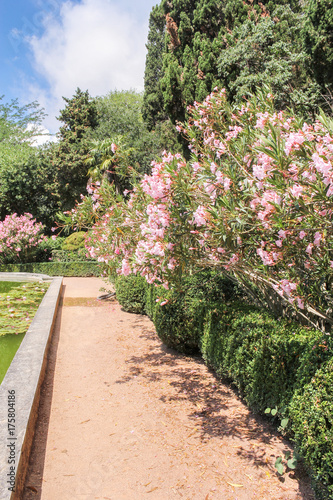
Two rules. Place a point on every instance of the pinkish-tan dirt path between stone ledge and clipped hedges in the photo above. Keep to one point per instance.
(122, 417)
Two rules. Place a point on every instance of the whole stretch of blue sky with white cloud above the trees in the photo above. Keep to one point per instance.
(48, 48)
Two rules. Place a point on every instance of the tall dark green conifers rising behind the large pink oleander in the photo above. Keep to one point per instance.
(237, 45)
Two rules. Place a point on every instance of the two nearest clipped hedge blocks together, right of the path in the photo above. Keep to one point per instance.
(276, 363)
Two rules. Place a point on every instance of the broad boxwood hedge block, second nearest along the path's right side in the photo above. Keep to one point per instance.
(266, 358)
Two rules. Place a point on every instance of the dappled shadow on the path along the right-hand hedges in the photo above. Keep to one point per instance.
(216, 410)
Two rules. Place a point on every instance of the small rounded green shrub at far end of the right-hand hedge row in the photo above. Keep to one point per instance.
(131, 292)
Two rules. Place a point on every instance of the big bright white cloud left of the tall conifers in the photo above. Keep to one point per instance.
(92, 45)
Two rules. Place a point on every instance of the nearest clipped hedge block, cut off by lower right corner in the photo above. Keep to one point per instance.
(311, 420)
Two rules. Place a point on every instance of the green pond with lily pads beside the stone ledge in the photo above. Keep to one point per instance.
(18, 305)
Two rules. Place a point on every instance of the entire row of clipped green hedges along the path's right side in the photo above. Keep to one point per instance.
(273, 362)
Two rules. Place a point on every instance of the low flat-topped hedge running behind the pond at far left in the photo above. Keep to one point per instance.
(79, 269)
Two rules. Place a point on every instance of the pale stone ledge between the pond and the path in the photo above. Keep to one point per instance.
(25, 376)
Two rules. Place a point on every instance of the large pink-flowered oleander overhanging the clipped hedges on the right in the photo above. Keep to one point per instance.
(255, 201)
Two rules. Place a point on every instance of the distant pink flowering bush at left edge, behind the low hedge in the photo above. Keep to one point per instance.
(19, 237)
